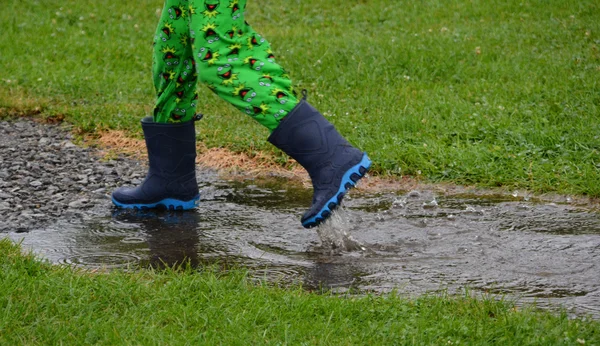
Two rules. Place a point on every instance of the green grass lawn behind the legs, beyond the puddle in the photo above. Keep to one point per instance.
(472, 92)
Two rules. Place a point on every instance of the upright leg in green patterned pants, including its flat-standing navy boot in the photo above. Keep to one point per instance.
(170, 135)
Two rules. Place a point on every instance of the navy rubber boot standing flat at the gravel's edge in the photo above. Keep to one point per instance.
(171, 179)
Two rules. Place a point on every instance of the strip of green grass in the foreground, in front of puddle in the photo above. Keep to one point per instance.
(45, 304)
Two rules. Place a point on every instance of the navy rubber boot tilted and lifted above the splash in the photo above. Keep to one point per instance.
(333, 164)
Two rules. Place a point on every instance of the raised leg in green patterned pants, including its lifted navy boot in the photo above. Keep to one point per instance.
(237, 64)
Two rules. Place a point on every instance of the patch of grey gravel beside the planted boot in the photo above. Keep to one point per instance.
(45, 176)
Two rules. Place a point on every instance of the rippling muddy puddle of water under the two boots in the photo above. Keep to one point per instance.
(414, 242)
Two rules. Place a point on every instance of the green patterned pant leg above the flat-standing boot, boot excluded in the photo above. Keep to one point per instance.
(173, 67)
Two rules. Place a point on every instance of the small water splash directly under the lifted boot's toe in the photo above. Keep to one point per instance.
(334, 233)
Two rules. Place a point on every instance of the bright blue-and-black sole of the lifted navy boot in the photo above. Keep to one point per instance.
(349, 180)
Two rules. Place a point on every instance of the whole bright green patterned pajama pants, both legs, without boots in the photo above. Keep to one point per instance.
(210, 40)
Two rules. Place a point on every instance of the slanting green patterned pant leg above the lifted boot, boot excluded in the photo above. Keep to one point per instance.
(237, 63)
